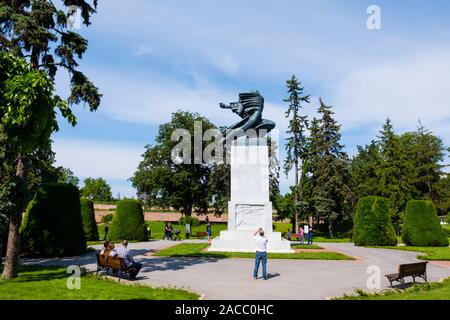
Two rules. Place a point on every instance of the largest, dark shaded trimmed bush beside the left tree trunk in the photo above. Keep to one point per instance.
(52, 224)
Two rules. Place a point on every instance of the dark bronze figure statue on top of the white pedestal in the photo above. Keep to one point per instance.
(249, 108)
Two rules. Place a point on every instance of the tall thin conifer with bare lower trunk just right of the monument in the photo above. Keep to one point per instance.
(297, 140)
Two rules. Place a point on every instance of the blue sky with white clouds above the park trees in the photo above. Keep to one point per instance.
(151, 58)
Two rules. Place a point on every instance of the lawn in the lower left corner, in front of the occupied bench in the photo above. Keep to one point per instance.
(50, 283)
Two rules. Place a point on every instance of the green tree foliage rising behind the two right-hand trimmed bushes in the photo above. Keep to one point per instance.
(402, 167)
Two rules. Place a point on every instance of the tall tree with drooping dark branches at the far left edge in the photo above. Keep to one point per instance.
(38, 31)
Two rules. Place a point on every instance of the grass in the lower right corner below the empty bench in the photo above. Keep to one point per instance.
(432, 291)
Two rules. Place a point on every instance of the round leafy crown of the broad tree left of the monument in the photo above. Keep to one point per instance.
(161, 182)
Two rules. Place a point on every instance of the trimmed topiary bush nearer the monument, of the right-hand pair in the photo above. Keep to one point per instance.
(372, 223)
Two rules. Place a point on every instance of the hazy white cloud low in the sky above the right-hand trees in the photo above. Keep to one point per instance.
(415, 87)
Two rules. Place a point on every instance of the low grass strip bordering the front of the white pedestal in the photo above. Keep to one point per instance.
(197, 250)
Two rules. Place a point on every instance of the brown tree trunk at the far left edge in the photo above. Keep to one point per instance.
(13, 244)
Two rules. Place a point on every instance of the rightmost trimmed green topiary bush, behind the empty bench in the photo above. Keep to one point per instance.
(421, 225)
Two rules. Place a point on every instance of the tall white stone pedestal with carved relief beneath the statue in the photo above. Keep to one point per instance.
(250, 207)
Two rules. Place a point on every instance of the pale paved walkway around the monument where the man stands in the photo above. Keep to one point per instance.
(290, 279)
